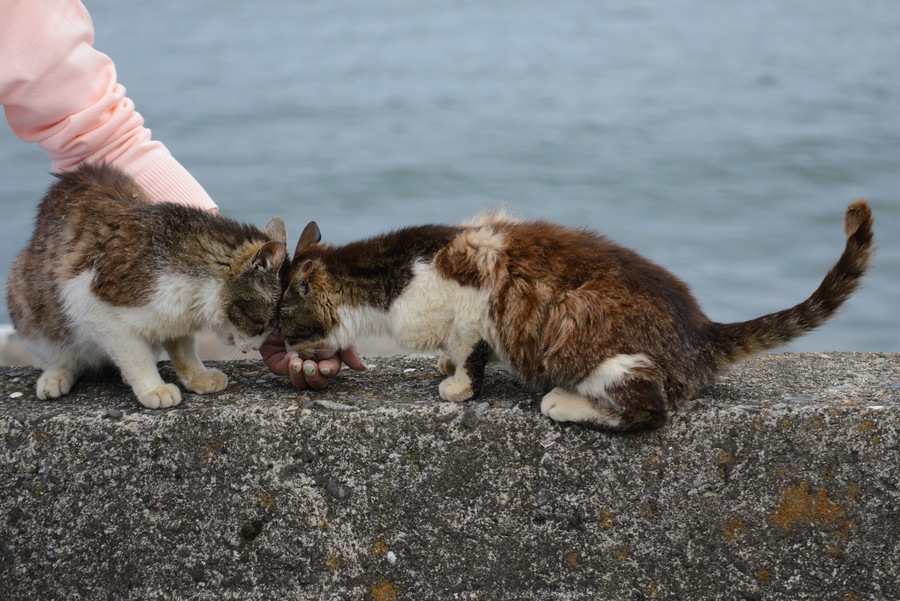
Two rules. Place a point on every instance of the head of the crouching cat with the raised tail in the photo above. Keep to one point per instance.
(308, 311)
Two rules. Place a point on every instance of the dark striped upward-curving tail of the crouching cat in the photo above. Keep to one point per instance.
(735, 341)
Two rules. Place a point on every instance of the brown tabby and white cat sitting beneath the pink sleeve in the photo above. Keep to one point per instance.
(108, 275)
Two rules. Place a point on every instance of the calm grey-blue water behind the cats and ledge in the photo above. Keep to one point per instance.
(722, 140)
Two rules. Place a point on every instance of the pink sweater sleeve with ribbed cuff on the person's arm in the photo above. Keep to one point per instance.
(61, 93)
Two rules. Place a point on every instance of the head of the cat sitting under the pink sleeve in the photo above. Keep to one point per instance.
(252, 290)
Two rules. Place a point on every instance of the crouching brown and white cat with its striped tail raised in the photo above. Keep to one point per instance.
(616, 337)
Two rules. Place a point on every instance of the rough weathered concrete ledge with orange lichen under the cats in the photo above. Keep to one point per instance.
(781, 483)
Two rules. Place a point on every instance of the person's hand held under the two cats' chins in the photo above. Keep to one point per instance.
(308, 373)
